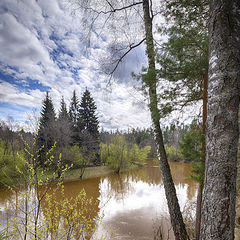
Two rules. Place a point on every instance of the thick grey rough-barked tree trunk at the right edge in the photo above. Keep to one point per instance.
(219, 195)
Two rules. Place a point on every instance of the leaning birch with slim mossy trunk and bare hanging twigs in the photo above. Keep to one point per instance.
(142, 13)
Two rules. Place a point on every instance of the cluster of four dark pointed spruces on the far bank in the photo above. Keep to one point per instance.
(76, 127)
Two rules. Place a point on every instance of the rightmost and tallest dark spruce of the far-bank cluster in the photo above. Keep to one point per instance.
(89, 126)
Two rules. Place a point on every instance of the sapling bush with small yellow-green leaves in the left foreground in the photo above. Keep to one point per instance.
(43, 211)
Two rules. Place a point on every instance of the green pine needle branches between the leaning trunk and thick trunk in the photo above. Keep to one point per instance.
(183, 58)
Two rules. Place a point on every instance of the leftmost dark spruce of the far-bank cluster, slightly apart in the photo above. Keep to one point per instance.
(45, 136)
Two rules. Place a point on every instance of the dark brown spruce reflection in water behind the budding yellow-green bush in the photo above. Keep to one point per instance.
(66, 202)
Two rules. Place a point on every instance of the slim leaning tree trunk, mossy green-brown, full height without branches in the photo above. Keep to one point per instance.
(170, 191)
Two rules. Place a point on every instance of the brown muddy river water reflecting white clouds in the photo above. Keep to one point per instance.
(132, 202)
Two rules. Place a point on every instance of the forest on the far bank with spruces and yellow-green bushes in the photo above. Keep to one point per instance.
(73, 136)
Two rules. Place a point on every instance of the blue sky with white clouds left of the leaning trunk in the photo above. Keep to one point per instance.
(44, 47)
